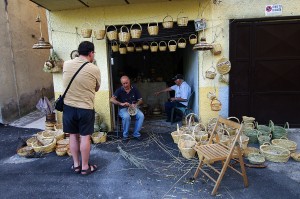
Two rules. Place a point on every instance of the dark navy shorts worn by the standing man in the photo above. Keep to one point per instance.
(78, 120)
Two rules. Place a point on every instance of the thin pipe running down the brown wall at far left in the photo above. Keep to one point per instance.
(13, 59)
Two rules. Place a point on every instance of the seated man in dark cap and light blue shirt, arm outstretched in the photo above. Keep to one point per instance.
(182, 92)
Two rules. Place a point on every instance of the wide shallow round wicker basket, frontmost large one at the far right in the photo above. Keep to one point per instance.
(275, 153)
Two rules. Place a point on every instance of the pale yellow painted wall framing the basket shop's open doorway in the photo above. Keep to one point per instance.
(63, 24)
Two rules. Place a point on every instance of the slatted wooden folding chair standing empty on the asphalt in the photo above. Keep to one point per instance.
(213, 152)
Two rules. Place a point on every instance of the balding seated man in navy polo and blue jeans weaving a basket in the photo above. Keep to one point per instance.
(128, 96)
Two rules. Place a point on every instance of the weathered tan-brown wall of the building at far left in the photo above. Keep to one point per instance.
(21, 74)
